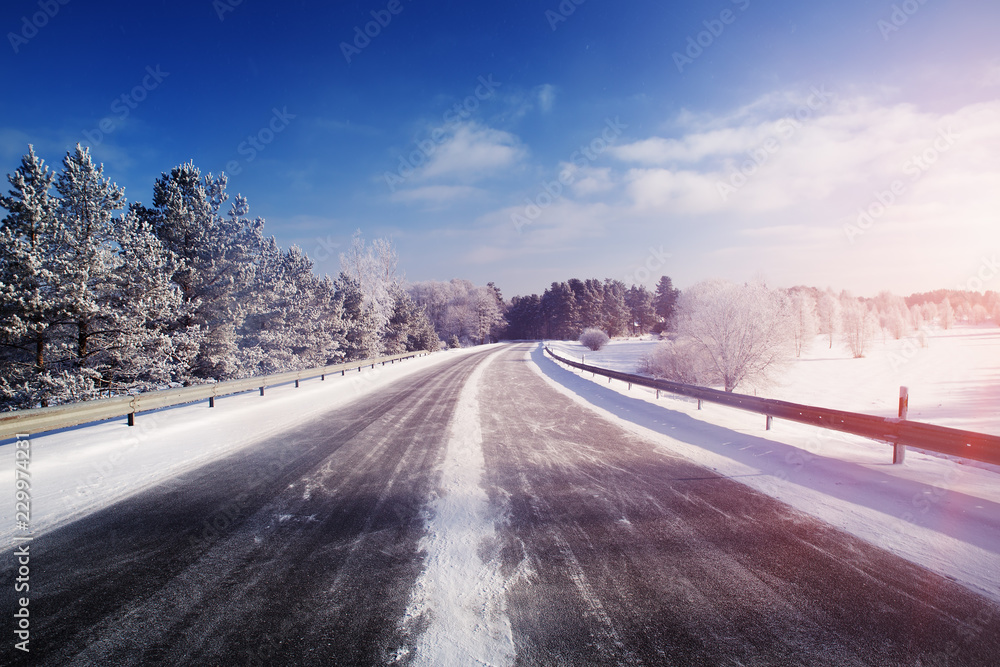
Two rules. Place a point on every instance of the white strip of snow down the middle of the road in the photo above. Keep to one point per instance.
(460, 599)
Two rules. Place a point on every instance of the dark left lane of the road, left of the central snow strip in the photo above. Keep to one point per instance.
(301, 549)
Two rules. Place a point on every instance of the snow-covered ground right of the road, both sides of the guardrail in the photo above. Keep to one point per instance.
(940, 513)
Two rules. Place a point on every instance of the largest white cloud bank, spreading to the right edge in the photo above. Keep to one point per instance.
(791, 183)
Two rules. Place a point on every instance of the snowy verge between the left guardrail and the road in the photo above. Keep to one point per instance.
(78, 470)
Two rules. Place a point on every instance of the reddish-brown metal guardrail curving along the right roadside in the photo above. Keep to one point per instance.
(896, 431)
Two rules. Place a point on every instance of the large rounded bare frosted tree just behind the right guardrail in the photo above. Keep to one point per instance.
(744, 330)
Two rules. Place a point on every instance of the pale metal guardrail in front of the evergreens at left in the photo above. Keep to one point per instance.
(38, 420)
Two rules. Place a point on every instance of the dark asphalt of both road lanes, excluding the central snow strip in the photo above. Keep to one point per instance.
(304, 550)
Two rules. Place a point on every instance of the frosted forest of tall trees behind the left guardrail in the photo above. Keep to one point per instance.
(100, 296)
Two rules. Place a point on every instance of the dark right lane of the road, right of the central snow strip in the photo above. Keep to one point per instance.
(622, 553)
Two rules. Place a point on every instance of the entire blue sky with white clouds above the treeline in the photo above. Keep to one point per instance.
(852, 144)
